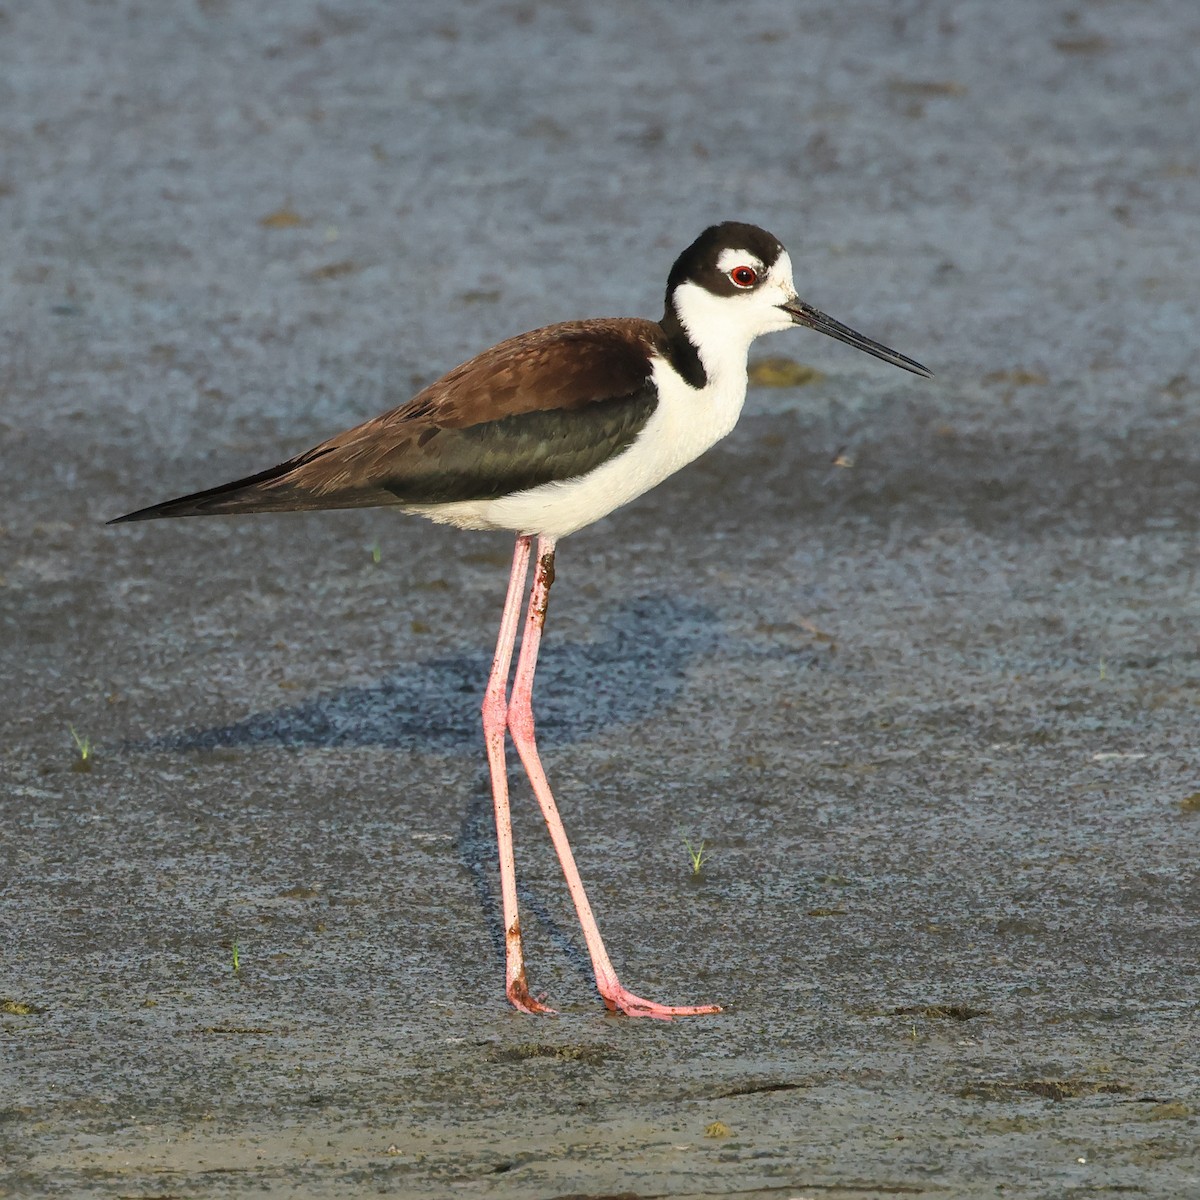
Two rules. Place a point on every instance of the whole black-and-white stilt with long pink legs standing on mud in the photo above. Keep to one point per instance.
(543, 435)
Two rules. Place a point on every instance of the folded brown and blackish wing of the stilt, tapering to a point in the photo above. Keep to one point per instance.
(543, 407)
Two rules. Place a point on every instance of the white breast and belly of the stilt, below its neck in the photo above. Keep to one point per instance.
(685, 424)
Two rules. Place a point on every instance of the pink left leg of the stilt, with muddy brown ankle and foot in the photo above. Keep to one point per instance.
(495, 724)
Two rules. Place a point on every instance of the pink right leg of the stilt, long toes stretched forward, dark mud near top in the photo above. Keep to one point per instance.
(520, 721)
